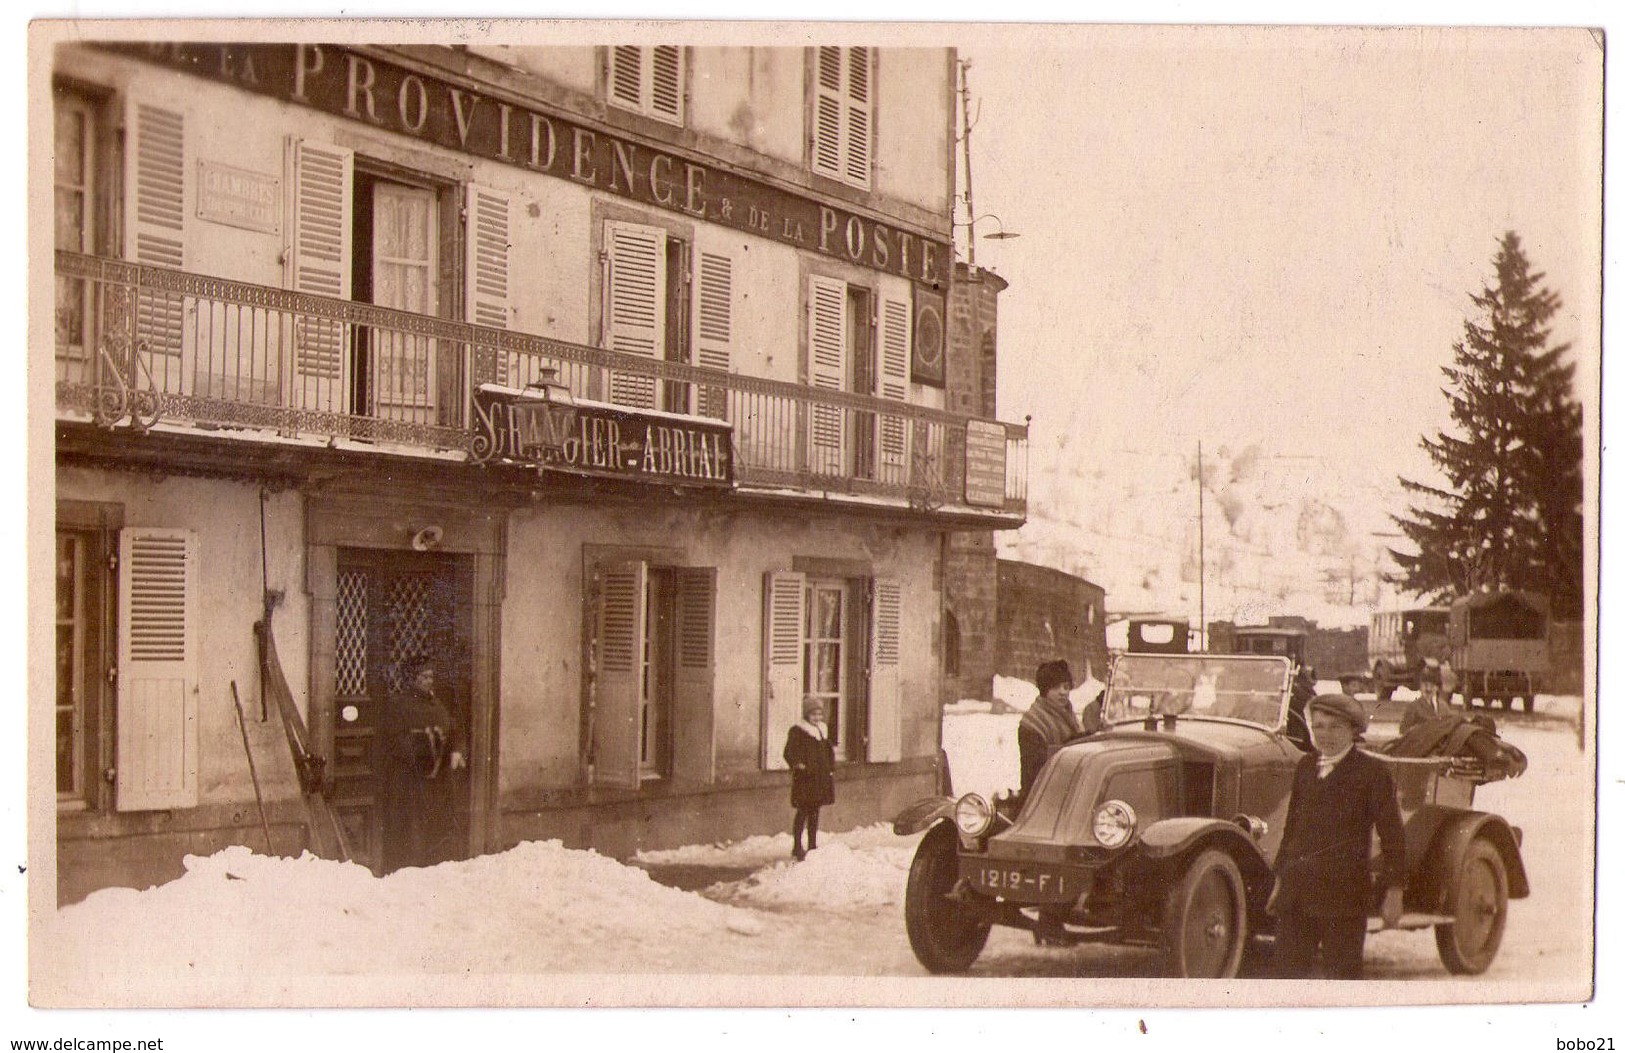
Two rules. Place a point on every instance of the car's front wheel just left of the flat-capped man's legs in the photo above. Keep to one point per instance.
(1205, 919)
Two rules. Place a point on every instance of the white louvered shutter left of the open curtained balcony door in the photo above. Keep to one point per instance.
(319, 262)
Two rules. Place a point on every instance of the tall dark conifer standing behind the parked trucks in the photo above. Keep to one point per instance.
(1509, 511)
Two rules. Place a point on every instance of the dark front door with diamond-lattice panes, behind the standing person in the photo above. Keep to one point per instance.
(392, 607)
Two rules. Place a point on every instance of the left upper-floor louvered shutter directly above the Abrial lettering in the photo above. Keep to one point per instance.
(636, 306)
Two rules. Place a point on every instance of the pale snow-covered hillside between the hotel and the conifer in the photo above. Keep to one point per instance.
(1285, 535)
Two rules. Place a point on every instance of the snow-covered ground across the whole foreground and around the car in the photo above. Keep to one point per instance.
(547, 925)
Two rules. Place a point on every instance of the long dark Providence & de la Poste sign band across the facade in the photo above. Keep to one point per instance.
(396, 98)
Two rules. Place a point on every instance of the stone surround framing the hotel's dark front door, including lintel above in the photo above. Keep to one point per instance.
(353, 521)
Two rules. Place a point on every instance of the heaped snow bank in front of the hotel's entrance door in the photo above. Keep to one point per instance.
(539, 906)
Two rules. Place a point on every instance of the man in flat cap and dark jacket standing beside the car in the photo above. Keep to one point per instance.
(1324, 878)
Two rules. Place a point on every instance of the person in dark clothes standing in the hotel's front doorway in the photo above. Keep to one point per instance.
(420, 747)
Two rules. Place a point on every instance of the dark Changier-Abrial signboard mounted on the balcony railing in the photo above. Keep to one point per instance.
(599, 440)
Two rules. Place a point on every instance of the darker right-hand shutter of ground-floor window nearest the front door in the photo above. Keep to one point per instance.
(695, 748)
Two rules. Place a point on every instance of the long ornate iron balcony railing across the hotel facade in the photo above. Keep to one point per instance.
(157, 349)
